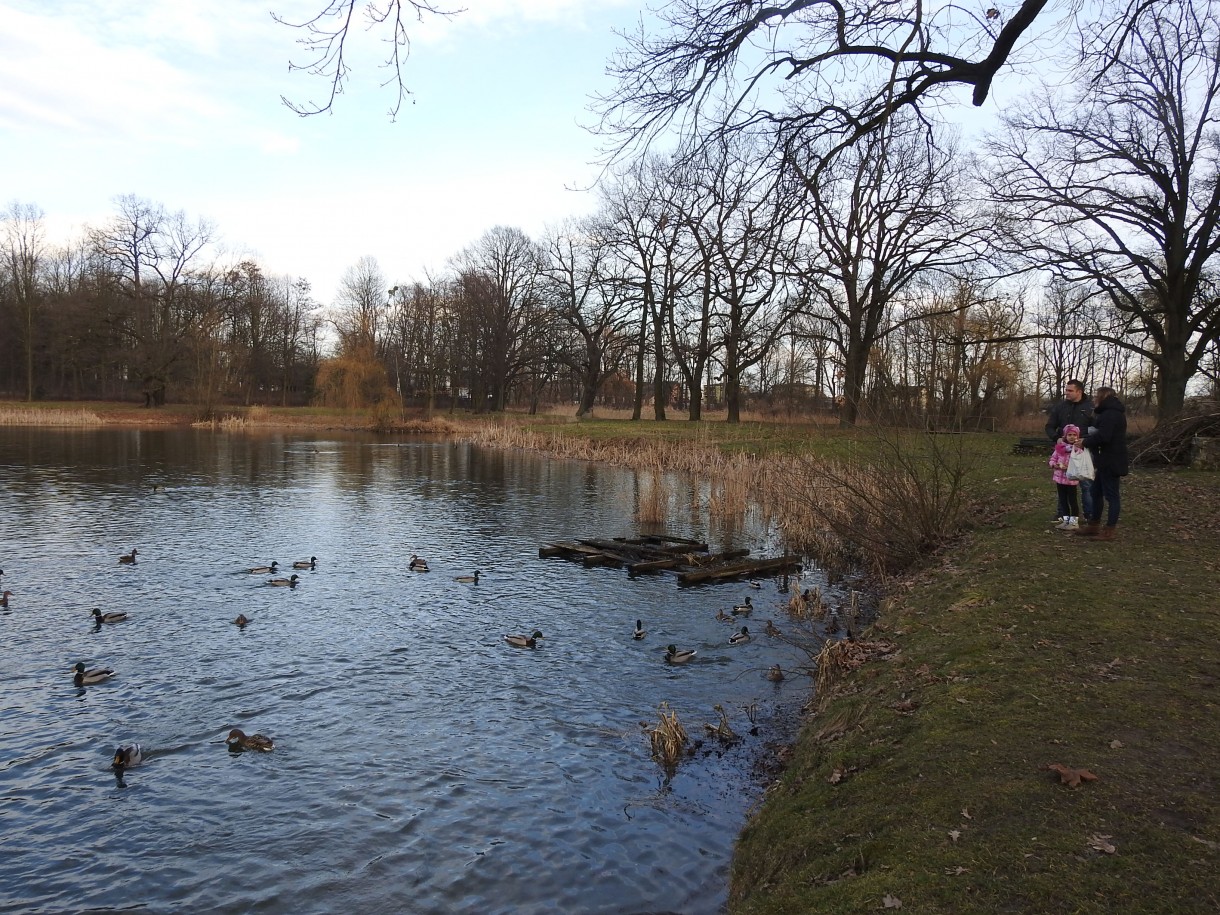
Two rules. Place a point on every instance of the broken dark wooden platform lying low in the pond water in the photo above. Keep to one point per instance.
(659, 553)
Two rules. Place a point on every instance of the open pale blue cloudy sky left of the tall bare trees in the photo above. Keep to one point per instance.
(180, 104)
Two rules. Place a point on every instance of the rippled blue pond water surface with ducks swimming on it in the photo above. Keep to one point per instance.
(422, 764)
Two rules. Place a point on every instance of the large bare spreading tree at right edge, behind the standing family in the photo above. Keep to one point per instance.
(1123, 192)
